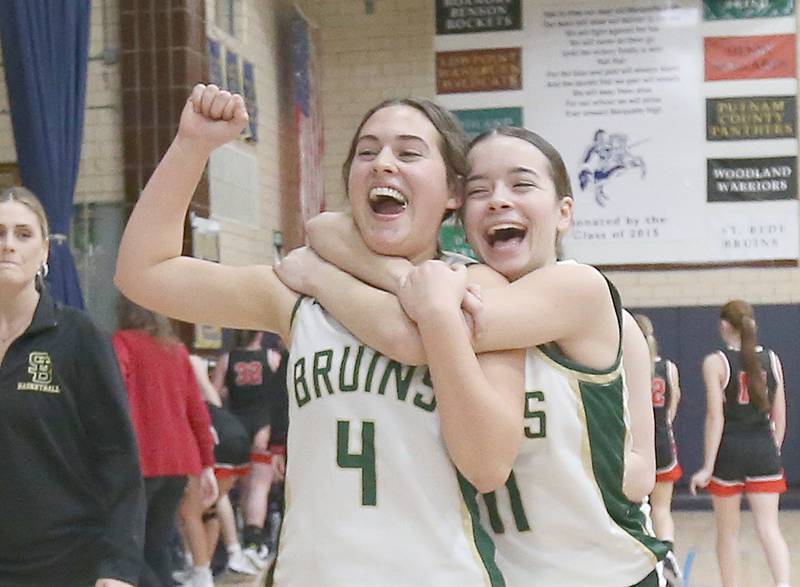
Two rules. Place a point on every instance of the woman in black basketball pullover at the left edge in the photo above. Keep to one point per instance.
(71, 496)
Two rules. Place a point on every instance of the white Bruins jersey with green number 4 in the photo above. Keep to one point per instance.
(372, 498)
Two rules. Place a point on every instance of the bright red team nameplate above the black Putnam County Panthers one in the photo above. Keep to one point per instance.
(759, 57)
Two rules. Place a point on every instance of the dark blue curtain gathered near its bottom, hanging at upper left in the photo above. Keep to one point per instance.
(45, 51)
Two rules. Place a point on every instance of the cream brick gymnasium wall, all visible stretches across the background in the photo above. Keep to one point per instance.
(365, 57)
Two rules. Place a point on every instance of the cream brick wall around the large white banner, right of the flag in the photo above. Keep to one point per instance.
(390, 52)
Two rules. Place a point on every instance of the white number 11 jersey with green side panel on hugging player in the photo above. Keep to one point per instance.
(562, 519)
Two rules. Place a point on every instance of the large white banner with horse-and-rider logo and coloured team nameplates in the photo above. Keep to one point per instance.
(677, 120)
